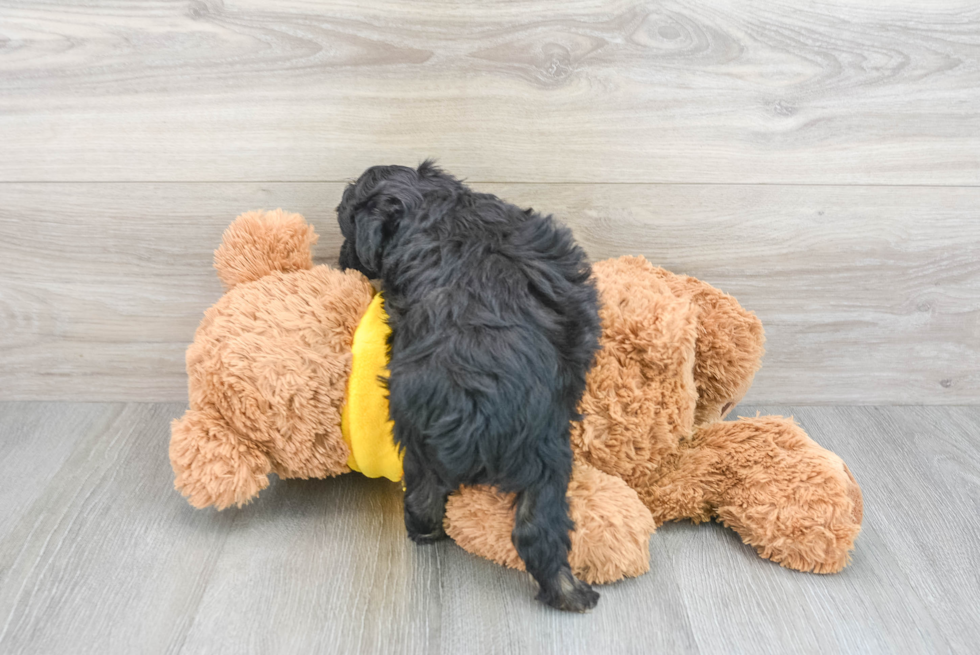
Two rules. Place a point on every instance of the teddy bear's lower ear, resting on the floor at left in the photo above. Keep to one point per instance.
(213, 465)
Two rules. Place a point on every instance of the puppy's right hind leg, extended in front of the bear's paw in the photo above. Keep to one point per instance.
(541, 526)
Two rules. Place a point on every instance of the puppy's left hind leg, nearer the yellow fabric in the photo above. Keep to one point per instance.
(425, 500)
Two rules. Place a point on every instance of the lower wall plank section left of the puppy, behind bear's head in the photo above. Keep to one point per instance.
(102, 286)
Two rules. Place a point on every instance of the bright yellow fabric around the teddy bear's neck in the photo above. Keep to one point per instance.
(364, 422)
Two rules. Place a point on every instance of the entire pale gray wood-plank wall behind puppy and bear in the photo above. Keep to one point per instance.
(819, 160)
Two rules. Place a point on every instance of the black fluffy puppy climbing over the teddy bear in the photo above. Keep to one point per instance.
(494, 323)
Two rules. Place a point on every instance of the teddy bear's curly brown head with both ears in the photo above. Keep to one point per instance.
(268, 367)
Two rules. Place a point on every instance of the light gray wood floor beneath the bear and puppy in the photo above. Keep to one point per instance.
(99, 554)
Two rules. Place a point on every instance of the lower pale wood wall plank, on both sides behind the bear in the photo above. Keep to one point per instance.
(868, 294)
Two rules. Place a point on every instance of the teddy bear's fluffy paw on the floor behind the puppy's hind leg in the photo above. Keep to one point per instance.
(610, 540)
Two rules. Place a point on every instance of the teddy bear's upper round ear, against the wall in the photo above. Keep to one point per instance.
(259, 243)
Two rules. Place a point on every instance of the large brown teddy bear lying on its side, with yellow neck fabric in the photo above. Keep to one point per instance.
(273, 368)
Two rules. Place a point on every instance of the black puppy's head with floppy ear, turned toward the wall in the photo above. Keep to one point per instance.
(371, 210)
